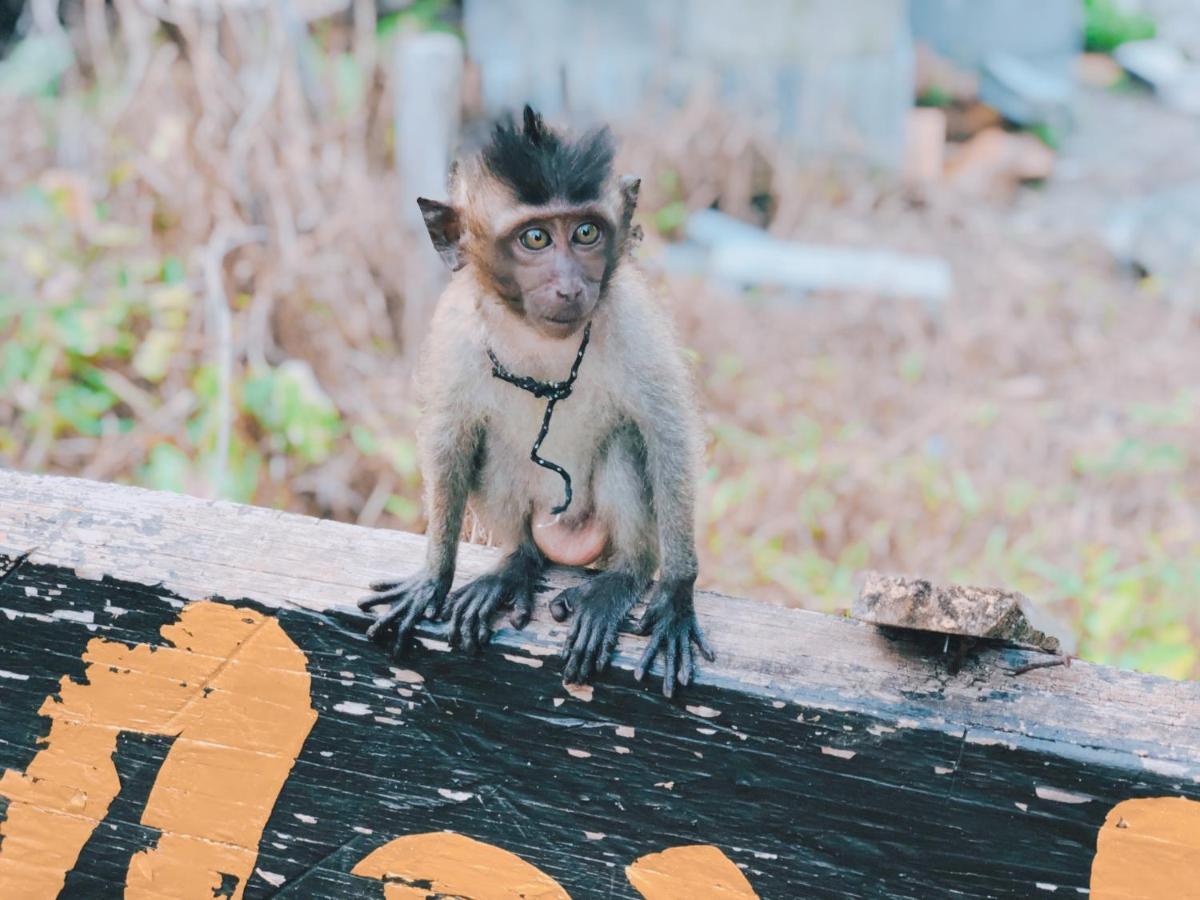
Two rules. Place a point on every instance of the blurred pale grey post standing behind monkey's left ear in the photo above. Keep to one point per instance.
(429, 105)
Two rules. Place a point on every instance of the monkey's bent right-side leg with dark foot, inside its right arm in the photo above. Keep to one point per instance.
(603, 603)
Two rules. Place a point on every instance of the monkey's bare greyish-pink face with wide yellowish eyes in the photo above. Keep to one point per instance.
(553, 269)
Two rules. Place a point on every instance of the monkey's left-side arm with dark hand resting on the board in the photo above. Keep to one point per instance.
(452, 445)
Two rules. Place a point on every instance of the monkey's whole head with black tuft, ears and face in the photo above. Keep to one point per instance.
(542, 219)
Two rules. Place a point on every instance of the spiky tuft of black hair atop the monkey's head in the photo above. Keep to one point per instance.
(541, 166)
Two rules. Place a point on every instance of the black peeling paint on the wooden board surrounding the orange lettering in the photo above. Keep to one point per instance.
(809, 802)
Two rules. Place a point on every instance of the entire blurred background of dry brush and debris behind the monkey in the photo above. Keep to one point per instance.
(937, 265)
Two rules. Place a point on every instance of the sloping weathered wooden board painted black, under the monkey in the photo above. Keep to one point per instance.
(820, 757)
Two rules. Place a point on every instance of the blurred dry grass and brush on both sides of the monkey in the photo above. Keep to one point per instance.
(224, 194)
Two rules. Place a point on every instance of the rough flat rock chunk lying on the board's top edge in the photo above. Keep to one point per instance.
(917, 604)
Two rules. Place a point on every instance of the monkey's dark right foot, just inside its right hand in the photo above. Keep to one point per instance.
(603, 604)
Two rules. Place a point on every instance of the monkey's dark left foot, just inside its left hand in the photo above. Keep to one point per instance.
(472, 608)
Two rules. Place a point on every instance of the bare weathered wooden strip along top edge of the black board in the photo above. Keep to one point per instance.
(200, 549)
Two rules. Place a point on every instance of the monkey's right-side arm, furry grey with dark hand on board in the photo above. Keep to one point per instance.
(671, 434)
